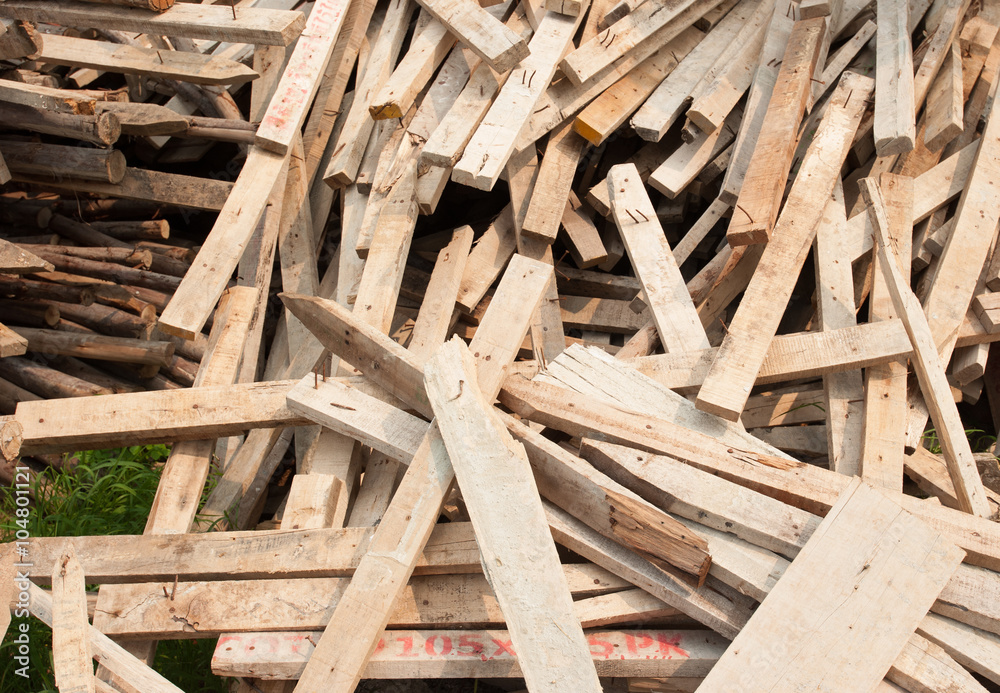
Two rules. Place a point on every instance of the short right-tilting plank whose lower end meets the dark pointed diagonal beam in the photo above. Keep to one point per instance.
(438, 306)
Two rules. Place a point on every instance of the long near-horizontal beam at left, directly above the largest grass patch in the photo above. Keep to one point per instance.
(153, 417)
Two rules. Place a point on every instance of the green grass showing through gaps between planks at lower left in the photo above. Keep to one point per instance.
(107, 492)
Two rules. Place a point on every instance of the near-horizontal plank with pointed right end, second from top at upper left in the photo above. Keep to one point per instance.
(196, 68)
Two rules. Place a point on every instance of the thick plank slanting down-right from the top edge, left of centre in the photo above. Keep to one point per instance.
(499, 46)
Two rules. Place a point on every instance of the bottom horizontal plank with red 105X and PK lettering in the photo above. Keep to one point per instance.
(471, 654)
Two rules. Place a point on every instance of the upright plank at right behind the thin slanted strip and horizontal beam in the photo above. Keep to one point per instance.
(885, 384)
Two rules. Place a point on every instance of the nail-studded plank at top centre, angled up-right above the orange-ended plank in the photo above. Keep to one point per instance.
(639, 34)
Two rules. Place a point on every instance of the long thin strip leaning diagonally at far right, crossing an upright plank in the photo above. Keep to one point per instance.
(928, 364)
